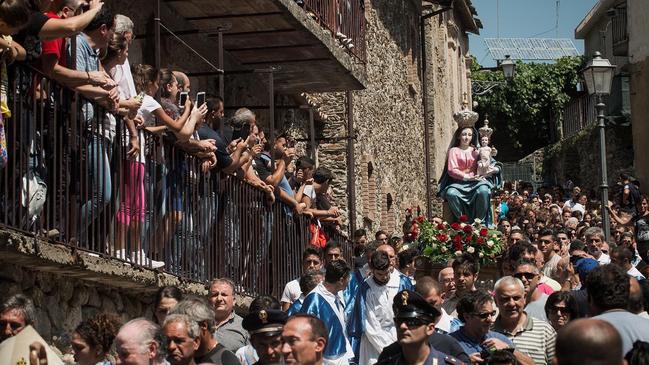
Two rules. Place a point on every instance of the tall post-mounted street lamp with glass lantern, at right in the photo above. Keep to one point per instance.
(598, 75)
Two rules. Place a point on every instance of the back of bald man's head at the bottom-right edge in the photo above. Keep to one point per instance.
(588, 341)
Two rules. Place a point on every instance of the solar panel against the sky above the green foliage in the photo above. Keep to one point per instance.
(530, 48)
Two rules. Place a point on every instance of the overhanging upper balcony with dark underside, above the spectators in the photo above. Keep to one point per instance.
(302, 43)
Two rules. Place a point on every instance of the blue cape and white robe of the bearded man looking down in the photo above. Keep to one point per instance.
(358, 320)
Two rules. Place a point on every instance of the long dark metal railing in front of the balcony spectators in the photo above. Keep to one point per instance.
(68, 179)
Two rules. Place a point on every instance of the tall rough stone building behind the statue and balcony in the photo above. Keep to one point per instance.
(388, 116)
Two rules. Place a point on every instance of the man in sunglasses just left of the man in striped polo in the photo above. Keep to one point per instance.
(476, 310)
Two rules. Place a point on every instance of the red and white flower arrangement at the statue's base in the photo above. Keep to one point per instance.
(443, 241)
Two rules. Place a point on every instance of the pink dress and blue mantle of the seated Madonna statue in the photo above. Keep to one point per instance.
(468, 197)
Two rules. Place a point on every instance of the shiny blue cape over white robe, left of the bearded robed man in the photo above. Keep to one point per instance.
(328, 307)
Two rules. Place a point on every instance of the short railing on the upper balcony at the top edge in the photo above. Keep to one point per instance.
(346, 21)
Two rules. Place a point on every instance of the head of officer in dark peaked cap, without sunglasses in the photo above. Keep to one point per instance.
(265, 329)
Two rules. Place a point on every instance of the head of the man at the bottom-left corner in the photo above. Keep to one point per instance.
(16, 313)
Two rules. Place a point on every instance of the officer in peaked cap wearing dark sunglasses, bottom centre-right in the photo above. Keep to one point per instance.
(415, 322)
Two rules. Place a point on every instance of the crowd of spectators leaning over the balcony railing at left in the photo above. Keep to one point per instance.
(146, 139)
